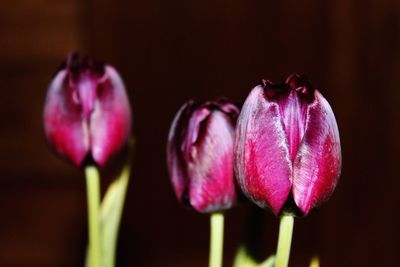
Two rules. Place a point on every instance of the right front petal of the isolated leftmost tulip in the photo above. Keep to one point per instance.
(110, 122)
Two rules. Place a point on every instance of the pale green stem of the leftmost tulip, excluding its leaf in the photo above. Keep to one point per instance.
(93, 201)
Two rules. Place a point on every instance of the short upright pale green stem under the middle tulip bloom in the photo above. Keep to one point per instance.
(216, 239)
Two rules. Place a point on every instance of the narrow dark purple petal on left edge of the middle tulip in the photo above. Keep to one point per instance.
(176, 164)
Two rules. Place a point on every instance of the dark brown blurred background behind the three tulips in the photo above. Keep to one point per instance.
(167, 53)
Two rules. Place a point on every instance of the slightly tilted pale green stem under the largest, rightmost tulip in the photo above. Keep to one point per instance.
(284, 241)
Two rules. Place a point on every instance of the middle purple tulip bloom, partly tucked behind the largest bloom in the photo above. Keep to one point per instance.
(200, 155)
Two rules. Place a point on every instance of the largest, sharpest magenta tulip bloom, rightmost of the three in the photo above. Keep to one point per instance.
(287, 148)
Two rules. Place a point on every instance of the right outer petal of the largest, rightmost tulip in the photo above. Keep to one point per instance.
(316, 167)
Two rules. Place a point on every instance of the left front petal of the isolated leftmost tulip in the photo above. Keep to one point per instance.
(63, 124)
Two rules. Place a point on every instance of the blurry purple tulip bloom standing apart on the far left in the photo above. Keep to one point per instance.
(87, 113)
